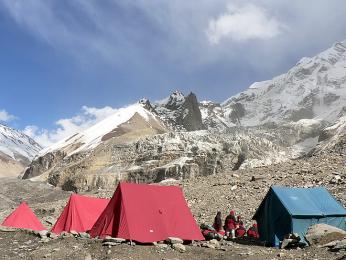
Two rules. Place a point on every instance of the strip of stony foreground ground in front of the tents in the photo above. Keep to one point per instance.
(23, 245)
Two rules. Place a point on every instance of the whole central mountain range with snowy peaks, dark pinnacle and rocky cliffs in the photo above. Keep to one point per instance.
(178, 137)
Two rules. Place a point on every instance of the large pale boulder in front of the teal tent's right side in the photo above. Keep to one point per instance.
(321, 232)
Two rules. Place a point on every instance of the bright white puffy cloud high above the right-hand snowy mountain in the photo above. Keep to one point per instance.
(243, 23)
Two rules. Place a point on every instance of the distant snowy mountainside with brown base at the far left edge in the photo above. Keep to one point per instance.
(16, 151)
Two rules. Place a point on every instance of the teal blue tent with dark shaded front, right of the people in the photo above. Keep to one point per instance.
(287, 210)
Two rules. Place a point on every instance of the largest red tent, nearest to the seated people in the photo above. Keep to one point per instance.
(147, 213)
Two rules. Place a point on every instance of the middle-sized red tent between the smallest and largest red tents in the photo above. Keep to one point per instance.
(79, 214)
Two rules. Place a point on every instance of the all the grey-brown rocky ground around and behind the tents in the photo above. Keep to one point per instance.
(240, 190)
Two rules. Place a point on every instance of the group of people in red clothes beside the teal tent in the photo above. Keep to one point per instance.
(233, 227)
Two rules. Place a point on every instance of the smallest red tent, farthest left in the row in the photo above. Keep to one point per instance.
(23, 217)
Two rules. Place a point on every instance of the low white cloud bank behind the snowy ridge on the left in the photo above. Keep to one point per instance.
(69, 126)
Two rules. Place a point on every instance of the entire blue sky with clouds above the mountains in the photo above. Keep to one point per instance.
(66, 64)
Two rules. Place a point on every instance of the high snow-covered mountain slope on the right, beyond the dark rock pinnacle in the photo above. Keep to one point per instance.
(315, 88)
